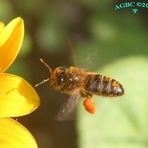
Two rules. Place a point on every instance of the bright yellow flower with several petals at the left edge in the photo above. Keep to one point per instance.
(17, 97)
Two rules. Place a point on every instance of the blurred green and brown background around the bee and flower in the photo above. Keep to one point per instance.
(91, 35)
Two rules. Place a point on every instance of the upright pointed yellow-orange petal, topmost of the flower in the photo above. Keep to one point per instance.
(11, 37)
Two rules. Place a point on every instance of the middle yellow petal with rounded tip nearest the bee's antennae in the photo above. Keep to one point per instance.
(17, 97)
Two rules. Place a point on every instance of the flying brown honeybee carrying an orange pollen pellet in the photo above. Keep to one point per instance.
(78, 83)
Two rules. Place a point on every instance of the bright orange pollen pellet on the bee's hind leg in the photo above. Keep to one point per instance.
(89, 105)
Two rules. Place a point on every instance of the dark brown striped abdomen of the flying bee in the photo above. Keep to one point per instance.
(102, 85)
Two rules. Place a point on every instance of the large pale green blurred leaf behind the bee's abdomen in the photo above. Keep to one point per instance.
(120, 122)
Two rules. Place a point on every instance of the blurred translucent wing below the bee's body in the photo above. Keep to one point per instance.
(67, 108)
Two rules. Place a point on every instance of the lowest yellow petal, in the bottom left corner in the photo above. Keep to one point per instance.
(14, 135)
